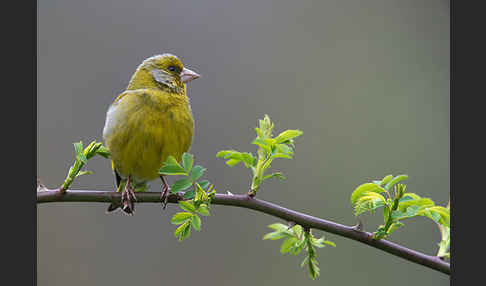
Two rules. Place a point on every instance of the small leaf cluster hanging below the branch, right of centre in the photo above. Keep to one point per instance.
(295, 240)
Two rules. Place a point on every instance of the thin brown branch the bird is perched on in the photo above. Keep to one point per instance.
(245, 201)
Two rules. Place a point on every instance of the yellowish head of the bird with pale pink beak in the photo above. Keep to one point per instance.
(163, 71)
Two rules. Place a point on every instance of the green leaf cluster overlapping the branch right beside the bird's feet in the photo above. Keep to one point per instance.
(197, 196)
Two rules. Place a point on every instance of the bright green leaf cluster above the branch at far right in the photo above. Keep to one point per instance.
(398, 204)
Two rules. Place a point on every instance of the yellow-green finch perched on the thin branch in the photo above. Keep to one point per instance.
(148, 122)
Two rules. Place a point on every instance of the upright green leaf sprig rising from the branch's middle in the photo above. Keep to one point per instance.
(269, 148)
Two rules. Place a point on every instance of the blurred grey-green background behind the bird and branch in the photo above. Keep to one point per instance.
(367, 82)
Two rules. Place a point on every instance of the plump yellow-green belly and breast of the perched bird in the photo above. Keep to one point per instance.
(141, 140)
